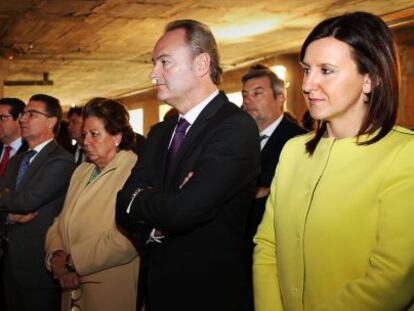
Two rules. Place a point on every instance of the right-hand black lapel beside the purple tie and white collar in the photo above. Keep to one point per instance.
(196, 129)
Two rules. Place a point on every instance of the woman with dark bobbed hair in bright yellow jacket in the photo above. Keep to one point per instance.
(338, 230)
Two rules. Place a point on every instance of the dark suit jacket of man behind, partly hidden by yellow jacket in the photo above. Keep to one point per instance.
(269, 158)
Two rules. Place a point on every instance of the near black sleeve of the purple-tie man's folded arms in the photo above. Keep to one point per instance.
(227, 162)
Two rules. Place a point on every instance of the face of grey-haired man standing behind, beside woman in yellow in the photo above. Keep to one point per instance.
(260, 103)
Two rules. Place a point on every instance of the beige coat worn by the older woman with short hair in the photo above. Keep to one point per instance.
(106, 261)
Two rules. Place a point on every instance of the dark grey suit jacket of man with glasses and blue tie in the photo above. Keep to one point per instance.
(43, 189)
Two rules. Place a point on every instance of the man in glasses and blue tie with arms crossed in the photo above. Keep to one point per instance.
(32, 192)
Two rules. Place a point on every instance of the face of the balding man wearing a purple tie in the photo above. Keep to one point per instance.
(172, 70)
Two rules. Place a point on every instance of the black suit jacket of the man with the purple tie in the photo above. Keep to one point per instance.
(201, 263)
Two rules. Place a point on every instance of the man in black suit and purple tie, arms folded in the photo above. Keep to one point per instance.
(189, 197)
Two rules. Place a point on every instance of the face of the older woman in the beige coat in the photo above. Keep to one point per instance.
(99, 145)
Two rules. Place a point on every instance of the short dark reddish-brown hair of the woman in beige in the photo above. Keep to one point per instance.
(115, 118)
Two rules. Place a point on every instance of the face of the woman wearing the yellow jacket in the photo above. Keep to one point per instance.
(332, 86)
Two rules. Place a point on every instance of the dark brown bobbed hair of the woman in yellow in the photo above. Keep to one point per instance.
(375, 54)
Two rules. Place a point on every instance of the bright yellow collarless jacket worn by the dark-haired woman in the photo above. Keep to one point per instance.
(338, 231)
